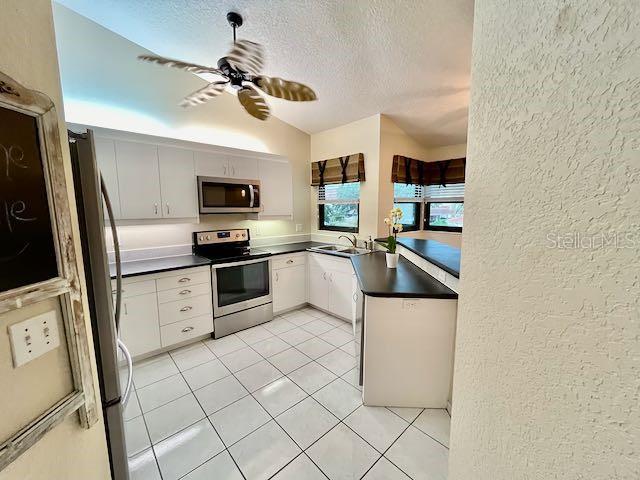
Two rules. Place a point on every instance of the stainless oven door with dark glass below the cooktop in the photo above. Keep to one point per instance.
(238, 286)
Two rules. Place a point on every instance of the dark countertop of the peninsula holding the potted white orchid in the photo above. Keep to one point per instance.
(407, 281)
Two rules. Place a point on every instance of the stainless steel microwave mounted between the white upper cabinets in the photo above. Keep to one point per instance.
(228, 195)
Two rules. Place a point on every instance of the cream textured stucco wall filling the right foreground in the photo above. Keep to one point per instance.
(547, 374)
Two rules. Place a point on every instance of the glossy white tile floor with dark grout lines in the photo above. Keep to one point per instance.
(278, 401)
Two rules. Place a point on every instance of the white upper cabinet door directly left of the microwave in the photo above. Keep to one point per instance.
(178, 183)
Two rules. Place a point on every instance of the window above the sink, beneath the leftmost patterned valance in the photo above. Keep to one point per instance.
(339, 207)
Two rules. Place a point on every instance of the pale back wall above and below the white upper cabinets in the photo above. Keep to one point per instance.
(105, 85)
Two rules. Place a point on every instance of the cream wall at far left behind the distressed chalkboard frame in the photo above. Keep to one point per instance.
(28, 54)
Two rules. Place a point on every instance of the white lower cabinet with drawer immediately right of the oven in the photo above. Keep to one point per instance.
(289, 280)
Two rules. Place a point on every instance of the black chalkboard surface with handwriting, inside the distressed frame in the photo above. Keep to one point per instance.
(28, 252)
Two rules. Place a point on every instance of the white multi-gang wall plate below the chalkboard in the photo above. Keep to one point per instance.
(33, 337)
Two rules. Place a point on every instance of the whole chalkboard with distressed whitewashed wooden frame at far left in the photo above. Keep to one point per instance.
(38, 248)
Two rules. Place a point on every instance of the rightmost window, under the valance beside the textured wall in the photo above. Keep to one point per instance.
(444, 208)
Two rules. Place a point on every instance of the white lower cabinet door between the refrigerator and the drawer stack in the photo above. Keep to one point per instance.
(139, 326)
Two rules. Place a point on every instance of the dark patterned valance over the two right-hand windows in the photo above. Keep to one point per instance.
(411, 171)
